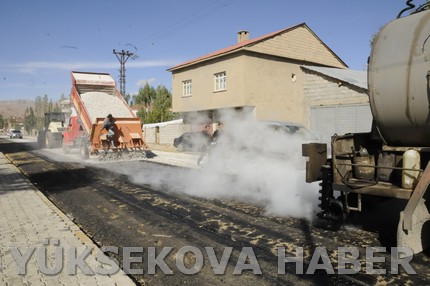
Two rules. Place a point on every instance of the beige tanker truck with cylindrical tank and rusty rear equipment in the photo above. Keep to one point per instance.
(392, 161)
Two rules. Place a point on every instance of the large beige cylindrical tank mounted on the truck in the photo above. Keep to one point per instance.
(398, 81)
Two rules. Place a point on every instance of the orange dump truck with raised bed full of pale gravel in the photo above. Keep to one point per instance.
(93, 97)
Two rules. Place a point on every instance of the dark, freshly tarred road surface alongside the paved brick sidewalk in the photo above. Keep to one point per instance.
(159, 219)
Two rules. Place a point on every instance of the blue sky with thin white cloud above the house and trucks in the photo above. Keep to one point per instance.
(43, 40)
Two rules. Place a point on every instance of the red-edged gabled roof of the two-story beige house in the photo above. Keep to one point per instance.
(246, 44)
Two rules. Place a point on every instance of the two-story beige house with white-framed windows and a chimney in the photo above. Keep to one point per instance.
(261, 75)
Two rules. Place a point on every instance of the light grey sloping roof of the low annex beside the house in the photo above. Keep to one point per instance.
(355, 77)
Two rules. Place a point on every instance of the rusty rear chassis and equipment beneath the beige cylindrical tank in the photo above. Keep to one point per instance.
(350, 179)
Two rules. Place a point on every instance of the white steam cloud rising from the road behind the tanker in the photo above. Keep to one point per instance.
(252, 162)
